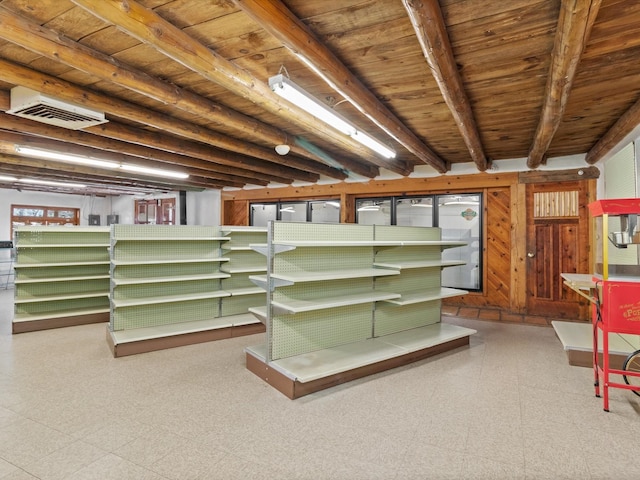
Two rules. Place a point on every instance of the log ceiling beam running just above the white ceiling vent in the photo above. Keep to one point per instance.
(269, 162)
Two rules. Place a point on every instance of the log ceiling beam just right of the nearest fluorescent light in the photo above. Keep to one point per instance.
(282, 24)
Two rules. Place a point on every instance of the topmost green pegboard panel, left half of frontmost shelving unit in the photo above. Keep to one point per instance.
(291, 232)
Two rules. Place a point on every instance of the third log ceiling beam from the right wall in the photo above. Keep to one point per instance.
(426, 18)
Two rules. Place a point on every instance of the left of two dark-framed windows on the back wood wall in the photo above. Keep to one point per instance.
(315, 211)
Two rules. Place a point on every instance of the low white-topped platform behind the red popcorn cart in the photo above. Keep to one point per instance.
(577, 341)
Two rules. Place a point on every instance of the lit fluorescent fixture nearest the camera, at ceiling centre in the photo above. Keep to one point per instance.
(288, 90)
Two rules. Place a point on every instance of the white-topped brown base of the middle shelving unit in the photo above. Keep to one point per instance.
(142, 340)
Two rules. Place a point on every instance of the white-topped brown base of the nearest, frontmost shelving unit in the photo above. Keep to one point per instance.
(311, 372)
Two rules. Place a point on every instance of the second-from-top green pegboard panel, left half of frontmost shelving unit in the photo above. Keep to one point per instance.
(314, 259)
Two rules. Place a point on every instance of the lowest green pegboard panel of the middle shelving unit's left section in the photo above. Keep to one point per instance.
(144, 316)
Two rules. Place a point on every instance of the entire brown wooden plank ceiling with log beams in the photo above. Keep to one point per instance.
(184, 86)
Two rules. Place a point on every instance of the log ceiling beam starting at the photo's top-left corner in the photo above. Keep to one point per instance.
(55, 46)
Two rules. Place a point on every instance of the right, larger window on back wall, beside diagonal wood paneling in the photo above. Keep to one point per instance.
(459, 216)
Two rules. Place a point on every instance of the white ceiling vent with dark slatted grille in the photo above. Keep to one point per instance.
(43, 108)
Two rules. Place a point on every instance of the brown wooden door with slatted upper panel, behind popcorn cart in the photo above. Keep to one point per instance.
(557, 242)
